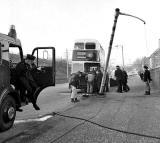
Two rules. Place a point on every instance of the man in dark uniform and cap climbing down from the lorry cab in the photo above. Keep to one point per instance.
(25, 79)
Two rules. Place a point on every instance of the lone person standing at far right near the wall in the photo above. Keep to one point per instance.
(147, 79)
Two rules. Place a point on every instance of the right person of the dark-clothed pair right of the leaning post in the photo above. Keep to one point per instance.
(125, 87)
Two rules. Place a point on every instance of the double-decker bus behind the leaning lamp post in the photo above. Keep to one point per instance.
(87, 54)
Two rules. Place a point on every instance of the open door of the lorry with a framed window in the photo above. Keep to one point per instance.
(45, 63)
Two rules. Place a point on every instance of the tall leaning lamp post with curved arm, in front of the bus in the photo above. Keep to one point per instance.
(117, 13)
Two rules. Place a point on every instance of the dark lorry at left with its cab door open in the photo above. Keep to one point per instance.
(11, 96)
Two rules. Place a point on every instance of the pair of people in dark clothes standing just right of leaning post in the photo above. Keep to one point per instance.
(121, 78)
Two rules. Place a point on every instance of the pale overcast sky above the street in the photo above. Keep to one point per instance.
(59, 23)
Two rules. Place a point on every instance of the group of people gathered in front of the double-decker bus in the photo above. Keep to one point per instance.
(92, 80)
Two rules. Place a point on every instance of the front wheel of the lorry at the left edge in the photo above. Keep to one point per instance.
(7, 113)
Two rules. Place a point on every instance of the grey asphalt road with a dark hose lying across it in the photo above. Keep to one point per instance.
(130, 117)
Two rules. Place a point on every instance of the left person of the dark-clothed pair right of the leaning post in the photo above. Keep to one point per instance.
(119, 78)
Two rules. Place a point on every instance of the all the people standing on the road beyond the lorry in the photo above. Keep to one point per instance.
(94, 77)
